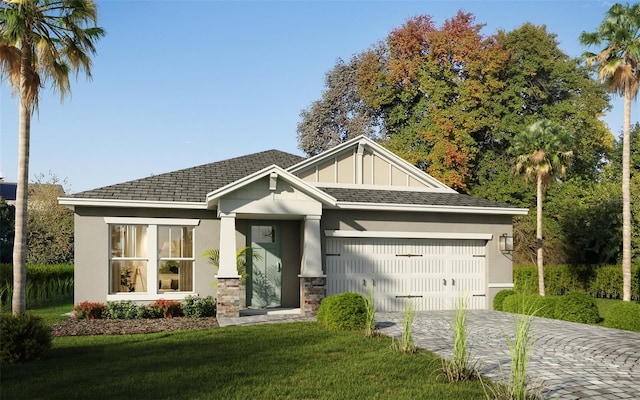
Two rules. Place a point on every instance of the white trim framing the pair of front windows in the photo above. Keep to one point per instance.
(153, 258)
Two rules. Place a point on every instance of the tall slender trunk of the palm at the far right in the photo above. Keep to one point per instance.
(626, 200)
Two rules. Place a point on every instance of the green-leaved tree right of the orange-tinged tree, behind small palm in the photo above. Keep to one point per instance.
(544, 82)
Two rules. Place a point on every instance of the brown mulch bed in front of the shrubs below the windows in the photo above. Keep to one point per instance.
(84, 327)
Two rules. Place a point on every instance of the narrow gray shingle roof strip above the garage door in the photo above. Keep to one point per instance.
(408, 198)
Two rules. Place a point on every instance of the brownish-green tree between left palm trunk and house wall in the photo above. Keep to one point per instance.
(50, 225)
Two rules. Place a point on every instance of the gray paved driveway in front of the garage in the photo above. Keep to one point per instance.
(573, 361)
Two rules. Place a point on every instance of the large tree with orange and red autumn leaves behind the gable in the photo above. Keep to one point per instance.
(434, 87)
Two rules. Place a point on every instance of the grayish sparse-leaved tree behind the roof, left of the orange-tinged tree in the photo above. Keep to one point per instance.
(340, 115)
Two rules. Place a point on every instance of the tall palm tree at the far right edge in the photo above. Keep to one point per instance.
(618, 69)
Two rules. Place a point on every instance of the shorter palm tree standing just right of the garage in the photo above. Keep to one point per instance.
(541, 153)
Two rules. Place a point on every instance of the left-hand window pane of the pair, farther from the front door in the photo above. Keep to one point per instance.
(129, 258)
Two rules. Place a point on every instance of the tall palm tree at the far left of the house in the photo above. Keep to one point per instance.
(40, 41)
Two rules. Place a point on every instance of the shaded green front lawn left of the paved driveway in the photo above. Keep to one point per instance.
(283, 361)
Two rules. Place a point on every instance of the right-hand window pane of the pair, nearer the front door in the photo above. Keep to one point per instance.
(175, 267)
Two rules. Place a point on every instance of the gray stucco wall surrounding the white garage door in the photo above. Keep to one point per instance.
(499, 269)
